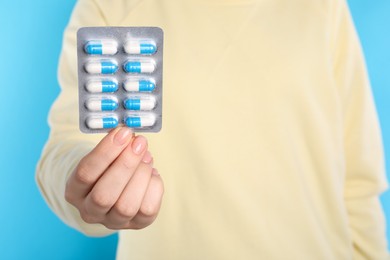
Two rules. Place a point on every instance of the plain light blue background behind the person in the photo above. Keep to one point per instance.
(31, 35)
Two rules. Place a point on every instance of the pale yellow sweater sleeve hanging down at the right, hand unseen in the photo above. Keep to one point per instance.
(365, 172)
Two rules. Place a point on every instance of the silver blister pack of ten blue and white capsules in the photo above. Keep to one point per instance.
(120, 78)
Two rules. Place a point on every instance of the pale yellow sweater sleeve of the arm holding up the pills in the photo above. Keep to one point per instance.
(66, 144)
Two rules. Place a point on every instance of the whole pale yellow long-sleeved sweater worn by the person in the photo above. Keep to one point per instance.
(270, 146)
